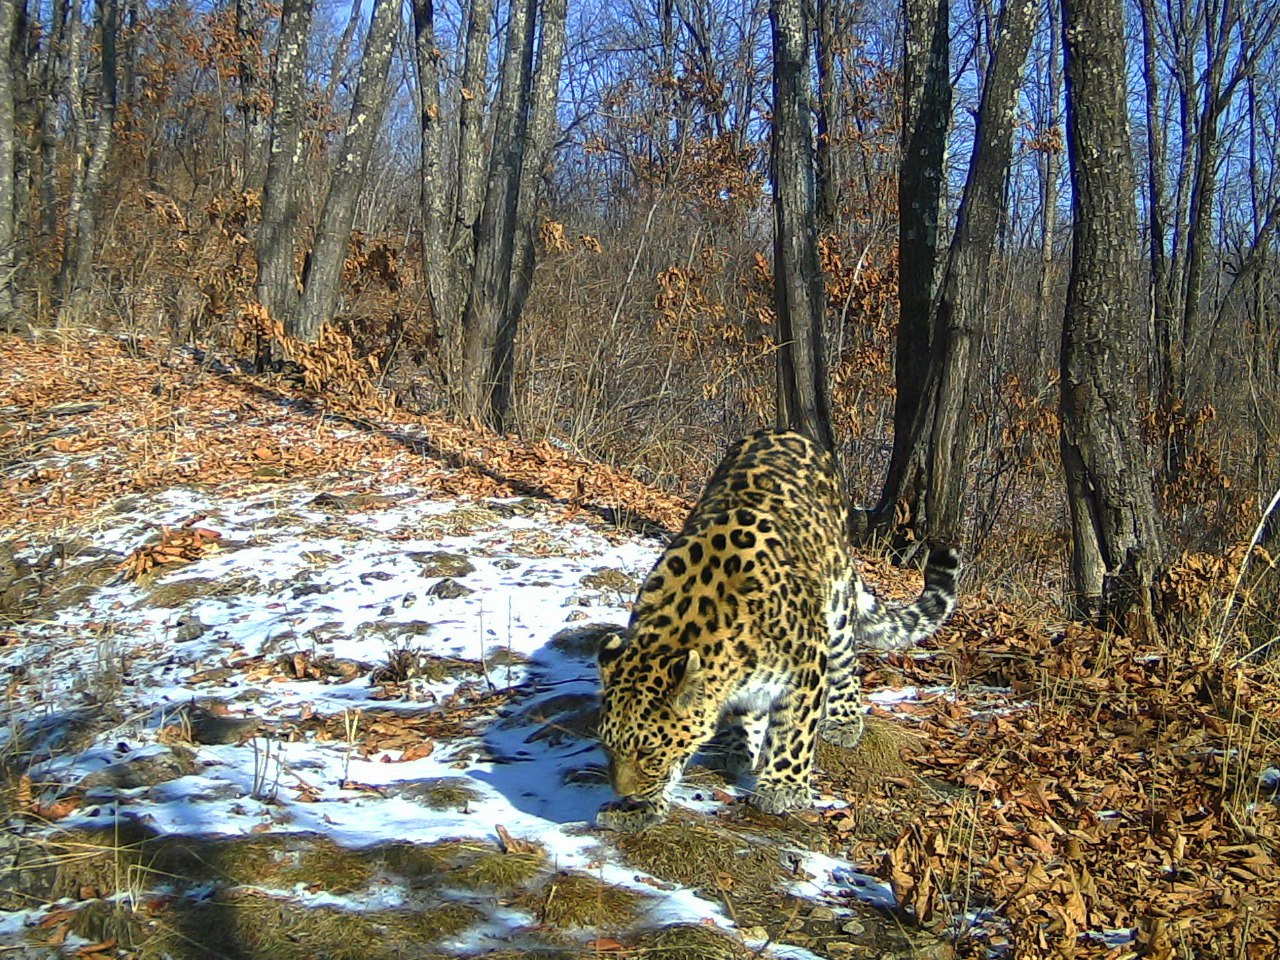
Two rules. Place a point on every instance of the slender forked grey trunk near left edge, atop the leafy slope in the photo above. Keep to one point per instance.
(77, 268)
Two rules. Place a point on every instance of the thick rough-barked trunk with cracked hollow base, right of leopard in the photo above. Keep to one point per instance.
(1116, 533)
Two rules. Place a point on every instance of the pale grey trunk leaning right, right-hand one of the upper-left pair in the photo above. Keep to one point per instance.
(323, 277)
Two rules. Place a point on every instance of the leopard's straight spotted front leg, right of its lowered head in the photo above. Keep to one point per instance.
(790, 747)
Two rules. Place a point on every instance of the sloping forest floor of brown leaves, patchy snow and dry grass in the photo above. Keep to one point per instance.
(294, 682)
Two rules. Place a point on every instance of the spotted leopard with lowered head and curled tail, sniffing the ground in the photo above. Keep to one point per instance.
(748, 630)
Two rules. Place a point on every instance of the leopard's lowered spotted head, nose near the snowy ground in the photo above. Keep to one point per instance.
(655, 715)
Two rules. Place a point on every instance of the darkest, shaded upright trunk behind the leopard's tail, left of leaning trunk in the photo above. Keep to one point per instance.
(926, 115)
